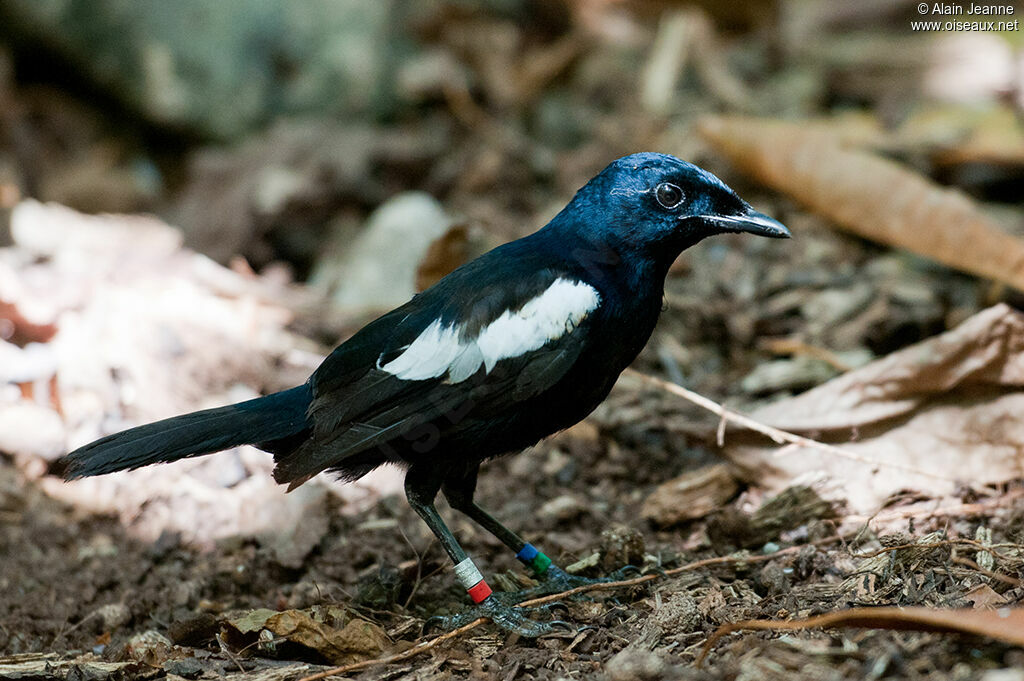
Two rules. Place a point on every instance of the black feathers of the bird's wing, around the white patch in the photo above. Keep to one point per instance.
(358, 408)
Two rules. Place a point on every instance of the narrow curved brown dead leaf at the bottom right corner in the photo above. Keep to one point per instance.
(1005, 625)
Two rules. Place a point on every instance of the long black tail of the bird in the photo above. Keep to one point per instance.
(275, 417)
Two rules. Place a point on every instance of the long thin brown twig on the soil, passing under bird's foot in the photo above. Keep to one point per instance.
(435, 643)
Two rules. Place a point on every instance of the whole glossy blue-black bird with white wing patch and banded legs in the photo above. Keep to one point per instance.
(523, 343)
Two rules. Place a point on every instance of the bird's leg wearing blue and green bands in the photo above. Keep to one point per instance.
(460, 490)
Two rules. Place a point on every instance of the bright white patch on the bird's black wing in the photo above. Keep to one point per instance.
(442, 349)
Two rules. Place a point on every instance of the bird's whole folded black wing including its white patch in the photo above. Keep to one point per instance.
(456, 351)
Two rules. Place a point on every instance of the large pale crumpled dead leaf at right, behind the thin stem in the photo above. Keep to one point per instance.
(941, 412)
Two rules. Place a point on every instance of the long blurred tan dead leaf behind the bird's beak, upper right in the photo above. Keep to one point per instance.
(870, 196)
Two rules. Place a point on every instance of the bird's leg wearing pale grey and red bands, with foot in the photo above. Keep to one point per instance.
(422, 485)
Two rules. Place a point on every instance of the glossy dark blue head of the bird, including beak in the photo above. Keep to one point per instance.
(653, 206)
